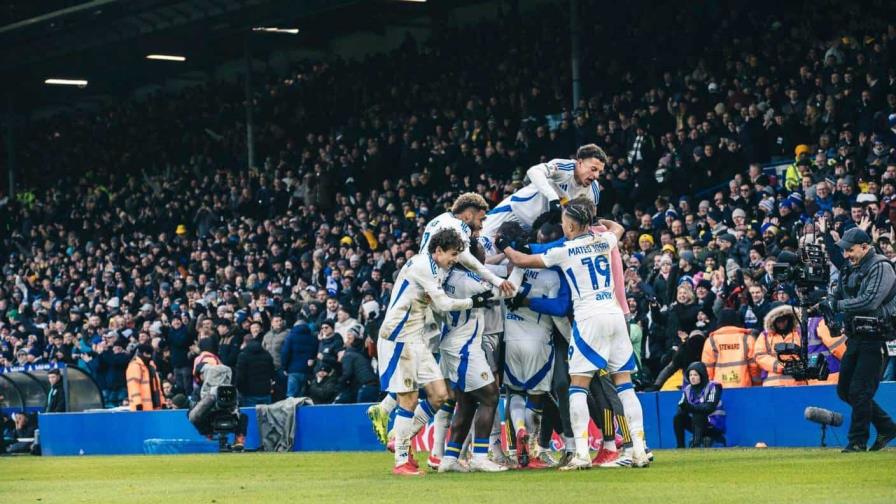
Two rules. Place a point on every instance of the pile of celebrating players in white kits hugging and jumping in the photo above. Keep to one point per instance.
(450, 278)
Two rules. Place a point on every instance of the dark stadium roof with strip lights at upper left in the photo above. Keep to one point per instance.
(106, 41)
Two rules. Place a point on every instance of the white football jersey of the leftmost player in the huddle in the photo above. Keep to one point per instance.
(419, 283)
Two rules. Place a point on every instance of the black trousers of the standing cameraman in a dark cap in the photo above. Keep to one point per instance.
(861, 369)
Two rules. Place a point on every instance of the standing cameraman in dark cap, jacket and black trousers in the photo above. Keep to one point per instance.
(867, 287)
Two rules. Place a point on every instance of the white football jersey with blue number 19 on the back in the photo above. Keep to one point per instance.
(586, 263)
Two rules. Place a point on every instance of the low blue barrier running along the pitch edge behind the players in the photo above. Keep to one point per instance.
(771, 415)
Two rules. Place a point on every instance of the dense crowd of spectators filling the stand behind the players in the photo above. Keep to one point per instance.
(144, 226)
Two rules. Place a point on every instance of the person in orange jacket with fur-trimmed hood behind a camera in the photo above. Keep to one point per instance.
(781, 326)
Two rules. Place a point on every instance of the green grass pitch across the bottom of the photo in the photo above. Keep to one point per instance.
(693, 476)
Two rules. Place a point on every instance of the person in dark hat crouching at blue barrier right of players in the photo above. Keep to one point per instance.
(700, 410)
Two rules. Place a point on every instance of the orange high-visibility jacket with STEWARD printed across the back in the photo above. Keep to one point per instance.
(728, 356)
